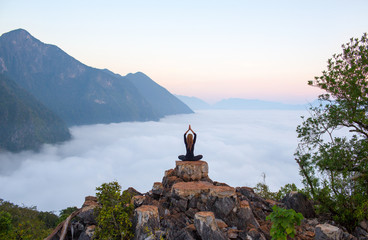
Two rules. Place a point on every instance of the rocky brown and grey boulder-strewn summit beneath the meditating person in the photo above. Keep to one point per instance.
(188, 205)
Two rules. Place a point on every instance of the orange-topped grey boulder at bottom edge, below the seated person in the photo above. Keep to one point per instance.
(206, 226)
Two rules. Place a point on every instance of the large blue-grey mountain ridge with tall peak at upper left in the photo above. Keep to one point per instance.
(77, 93)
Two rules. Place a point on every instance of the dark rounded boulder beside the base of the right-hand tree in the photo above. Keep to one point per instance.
(300, 203)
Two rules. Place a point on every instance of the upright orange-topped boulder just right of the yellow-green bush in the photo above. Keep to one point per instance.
(146, 221)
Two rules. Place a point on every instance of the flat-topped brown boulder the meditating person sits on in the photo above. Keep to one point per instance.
(191, 170)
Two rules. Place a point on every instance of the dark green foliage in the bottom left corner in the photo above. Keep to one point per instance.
(24, 222)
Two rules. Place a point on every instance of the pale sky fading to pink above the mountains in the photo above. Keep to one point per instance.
(208, 49)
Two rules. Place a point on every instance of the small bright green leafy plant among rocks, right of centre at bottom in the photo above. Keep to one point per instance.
(283, 222)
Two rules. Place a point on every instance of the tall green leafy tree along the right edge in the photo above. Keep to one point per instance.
(333, 150)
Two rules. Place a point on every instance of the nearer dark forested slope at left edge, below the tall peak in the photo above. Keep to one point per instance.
(25, 122)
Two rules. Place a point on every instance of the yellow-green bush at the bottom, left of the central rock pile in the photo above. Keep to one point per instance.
(114, 215)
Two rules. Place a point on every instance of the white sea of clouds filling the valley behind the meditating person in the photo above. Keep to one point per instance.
(239, 147)
